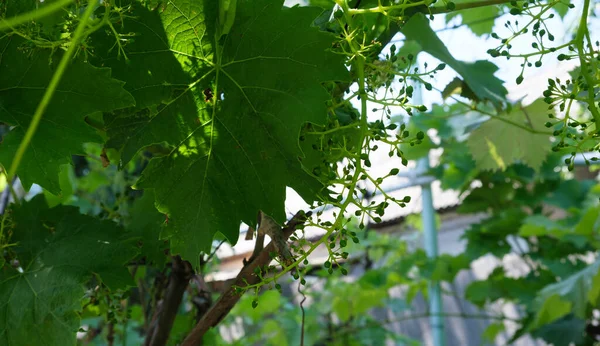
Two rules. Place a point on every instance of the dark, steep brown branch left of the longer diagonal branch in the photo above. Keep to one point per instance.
(181, 273)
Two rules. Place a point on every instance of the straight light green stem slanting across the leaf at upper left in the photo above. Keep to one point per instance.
(56, 77)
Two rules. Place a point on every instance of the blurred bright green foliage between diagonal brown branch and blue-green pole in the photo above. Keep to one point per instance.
(340, 313)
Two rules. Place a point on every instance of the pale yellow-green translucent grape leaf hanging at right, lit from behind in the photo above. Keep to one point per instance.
(497, 144)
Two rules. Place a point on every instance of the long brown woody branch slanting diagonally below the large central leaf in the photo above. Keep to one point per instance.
(246, 276)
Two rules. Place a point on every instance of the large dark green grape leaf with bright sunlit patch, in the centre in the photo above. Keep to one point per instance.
(231, 107)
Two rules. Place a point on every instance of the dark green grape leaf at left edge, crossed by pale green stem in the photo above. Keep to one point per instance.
(83, 89)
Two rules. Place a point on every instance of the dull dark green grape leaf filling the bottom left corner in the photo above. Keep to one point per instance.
(58, 250)
